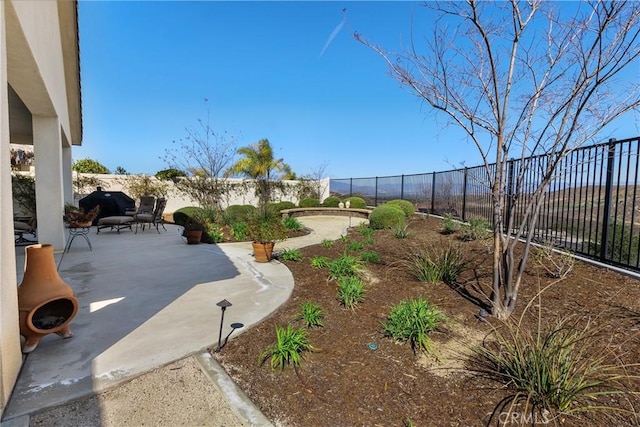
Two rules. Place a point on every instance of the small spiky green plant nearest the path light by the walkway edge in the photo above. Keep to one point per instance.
(287, 349)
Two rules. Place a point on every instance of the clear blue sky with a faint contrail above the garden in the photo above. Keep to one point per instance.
(148, 66)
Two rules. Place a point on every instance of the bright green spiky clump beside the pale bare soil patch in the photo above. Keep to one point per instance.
(411, 320)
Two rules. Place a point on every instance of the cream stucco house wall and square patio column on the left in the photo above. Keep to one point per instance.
(39, 60)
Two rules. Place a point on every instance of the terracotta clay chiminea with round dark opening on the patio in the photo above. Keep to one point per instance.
(46, 304)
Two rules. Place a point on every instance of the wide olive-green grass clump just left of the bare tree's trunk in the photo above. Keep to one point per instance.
(438, 263)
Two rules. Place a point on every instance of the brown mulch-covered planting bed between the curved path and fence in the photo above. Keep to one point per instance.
(346, 383)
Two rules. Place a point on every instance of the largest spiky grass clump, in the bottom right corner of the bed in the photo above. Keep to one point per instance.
(553, 368)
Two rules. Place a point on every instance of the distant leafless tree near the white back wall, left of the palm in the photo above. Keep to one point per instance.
(203, 155)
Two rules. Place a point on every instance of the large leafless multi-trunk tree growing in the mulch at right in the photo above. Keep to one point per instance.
(521, 79)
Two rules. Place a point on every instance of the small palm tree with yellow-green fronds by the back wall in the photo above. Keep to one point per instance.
(257, 163)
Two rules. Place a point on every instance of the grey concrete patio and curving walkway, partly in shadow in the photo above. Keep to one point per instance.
(147, 300)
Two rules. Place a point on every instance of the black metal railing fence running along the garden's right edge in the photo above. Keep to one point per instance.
(590, 206)
